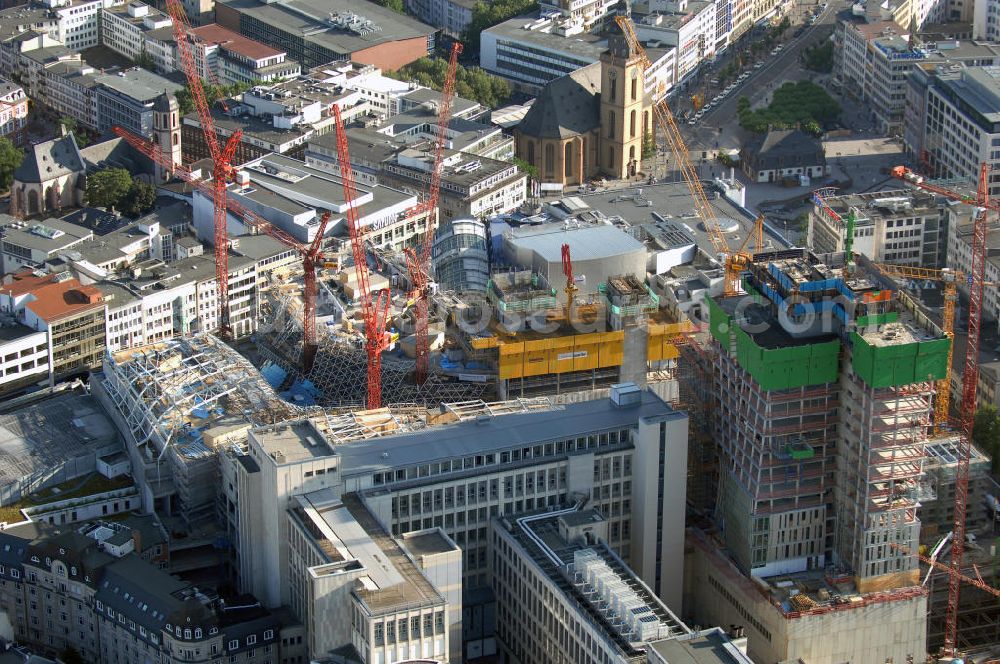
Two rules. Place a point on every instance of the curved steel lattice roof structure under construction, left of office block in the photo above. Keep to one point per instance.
(179, 400)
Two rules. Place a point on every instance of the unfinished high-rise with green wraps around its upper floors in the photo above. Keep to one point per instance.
(824, 379)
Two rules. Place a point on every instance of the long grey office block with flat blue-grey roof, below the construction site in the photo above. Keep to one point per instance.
(626, 455)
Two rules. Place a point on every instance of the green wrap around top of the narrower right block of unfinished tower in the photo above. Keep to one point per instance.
(899, 364)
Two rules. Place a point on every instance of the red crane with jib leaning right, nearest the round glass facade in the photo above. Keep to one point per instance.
(418, 264)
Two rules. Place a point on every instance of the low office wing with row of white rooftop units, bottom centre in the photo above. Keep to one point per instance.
(564, 596)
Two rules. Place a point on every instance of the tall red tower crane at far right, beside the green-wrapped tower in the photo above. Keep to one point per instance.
(967, 413)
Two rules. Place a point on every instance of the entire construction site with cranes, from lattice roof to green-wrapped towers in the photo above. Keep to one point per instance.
(819, 396)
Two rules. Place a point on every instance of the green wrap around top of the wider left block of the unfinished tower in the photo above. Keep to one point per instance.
(777, 368)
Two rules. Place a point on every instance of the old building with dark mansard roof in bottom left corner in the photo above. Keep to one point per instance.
(62, 589)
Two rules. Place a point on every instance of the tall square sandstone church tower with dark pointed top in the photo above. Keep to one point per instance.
(624, 116)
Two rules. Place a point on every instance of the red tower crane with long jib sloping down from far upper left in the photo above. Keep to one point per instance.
(312, 255)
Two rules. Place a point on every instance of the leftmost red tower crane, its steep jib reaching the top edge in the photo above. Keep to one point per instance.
(222, 156)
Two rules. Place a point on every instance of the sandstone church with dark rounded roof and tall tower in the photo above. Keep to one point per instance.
(591, 122)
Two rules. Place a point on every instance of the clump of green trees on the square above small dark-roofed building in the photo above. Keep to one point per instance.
(802, 105)
